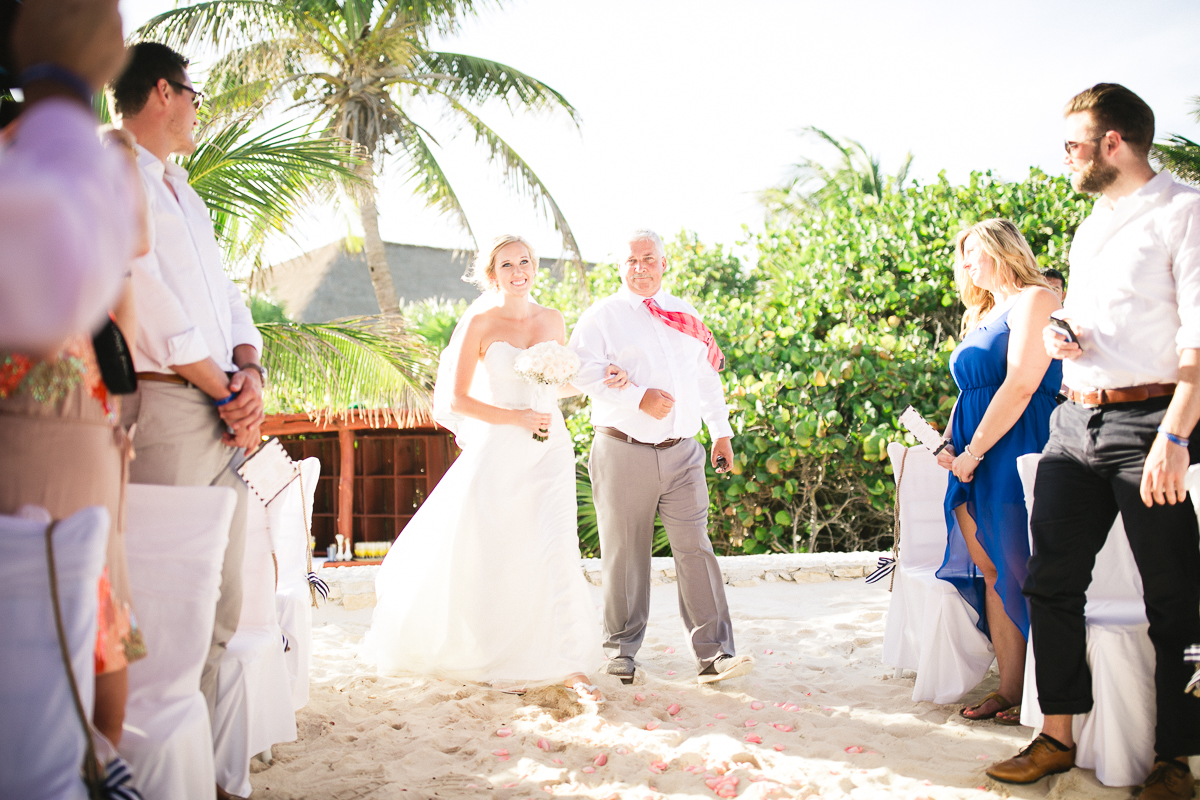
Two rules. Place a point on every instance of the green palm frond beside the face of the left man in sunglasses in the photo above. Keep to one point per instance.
(255, 184)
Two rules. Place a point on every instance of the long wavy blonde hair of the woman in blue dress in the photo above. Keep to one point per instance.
(1016, 267)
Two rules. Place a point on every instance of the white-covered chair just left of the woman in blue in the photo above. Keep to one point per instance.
(931, 629)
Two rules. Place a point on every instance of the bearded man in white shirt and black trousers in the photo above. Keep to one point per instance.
(1125, 440)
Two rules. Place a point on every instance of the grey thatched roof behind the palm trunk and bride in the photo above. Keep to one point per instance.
(332, 284)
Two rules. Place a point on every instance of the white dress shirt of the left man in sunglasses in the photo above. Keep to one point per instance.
(188, 308)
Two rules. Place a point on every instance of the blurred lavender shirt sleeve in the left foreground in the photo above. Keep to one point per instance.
(67, 227)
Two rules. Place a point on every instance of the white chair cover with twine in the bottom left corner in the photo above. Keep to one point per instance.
(43, 741)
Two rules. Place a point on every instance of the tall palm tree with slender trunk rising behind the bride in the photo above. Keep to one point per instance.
(357, 67)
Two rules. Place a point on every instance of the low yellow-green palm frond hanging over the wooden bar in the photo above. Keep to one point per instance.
(362, 365)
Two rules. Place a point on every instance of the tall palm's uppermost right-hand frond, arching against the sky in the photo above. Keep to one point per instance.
(460, 77)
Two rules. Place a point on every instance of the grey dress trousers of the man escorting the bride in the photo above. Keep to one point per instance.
(631, 484)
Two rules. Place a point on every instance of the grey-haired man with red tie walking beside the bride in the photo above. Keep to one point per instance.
(645, 461)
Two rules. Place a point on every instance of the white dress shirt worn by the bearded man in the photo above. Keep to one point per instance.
(1136, 287)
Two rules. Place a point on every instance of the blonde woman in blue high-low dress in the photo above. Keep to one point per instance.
(1007, 387)
